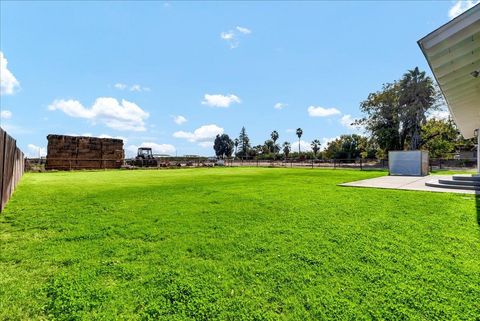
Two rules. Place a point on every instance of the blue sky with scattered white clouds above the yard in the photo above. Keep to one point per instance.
(131, 69)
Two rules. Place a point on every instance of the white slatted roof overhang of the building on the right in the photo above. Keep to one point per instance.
(453, 53)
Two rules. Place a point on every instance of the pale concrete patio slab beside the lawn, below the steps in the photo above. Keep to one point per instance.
(413, 183)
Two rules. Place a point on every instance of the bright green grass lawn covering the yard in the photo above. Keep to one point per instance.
(235, 244)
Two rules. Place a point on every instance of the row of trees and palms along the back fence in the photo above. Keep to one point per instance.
(395, 118)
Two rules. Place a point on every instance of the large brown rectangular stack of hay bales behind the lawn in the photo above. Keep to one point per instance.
(79, 152)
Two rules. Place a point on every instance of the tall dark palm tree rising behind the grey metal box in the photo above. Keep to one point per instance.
(417, 96)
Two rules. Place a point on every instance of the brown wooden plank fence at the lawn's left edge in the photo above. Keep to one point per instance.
(11, 166)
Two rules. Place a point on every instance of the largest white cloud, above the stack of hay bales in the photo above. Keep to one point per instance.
(122, 115)
